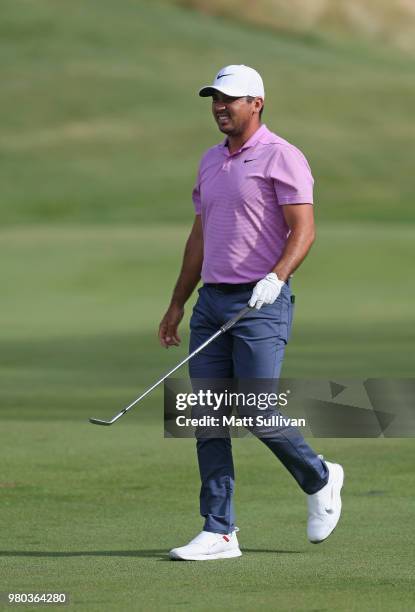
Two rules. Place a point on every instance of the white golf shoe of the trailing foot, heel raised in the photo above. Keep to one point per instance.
(324, 507)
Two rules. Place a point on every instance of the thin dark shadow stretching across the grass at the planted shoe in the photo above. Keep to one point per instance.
(153, 552)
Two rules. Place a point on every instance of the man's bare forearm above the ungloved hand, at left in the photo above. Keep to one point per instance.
(191, 266)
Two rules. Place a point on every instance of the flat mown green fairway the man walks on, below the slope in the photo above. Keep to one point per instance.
(93, 511)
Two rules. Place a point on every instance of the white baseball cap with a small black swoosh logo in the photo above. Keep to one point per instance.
(236, 81)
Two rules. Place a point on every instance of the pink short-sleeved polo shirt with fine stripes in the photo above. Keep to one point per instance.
(240, 196)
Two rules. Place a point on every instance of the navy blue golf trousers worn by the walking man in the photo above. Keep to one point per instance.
(253, 348)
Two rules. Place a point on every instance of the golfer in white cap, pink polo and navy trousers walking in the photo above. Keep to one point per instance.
(253, 227)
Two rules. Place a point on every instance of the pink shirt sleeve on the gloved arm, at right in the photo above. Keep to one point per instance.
(291, 174)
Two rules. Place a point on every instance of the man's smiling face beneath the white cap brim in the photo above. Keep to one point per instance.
(233, 115)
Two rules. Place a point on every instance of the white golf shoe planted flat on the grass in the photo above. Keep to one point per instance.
(208, 546)
